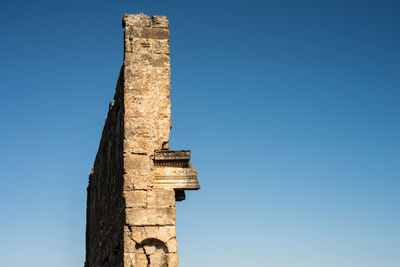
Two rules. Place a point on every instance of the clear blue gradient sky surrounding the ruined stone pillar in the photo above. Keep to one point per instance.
(291, 110)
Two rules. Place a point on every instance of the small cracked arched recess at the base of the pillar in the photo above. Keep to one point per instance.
(156, 252)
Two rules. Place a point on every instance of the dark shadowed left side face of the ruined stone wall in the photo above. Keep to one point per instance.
(105, 202)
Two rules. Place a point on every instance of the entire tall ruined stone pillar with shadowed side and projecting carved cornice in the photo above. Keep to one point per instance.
(136, 179)
